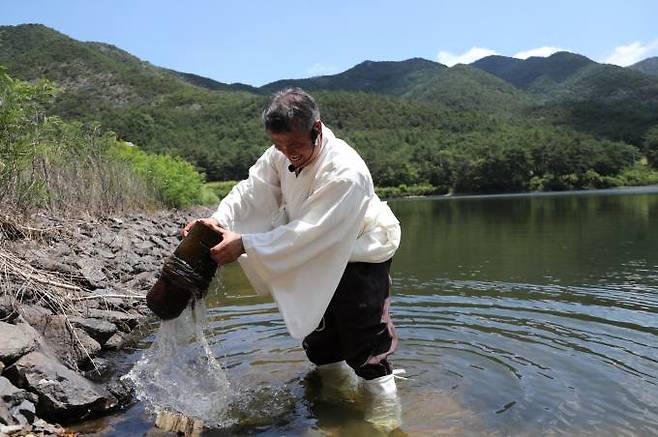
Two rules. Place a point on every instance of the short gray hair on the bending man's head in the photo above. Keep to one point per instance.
(291, 109)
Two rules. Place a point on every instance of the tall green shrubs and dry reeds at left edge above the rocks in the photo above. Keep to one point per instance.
(46, 163)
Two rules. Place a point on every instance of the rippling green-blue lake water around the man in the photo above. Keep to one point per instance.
(517, 315)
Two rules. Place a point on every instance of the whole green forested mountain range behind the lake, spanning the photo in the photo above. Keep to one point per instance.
(539, 123)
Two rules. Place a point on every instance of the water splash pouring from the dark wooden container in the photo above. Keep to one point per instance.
(179, 372)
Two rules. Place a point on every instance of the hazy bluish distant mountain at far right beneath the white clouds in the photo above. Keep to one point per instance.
(601, 99)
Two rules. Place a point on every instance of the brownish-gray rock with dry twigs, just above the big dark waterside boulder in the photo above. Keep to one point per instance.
(72, 345)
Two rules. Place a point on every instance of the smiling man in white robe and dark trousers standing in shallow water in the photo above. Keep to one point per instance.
(307, 227)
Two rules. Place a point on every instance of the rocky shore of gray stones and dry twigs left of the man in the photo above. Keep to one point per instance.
(70, 291)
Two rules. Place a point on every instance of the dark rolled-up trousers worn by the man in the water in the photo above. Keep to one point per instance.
(356, 326)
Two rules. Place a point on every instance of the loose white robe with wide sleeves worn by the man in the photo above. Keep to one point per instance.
(300, 231)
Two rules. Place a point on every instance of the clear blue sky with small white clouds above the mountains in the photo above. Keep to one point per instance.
(256, 42)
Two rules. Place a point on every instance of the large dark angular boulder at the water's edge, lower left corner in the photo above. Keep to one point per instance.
(63, 394)
